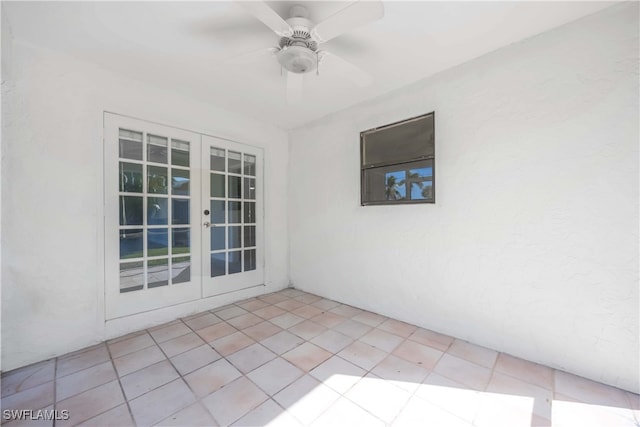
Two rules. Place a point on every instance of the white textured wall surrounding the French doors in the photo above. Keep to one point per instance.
(52, 246)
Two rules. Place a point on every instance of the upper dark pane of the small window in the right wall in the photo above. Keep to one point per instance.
(402, 142)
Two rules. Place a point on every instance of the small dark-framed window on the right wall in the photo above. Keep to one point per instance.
(397, 162)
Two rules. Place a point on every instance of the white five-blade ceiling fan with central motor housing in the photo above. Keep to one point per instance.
(298, 48)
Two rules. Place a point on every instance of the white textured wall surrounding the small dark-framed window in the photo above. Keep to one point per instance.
(532, 246)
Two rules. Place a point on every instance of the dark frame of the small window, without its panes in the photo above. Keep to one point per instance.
(409, 165)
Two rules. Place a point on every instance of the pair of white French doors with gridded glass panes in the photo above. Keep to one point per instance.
(182, 216)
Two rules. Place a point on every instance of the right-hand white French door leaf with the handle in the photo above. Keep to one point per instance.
(232, 193)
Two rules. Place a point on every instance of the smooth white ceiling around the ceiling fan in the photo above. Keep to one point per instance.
(181, 45)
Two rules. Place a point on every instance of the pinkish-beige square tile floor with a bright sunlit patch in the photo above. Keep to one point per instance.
(291, 358)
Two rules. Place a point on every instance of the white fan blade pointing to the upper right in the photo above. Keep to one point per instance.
(356, 14)
